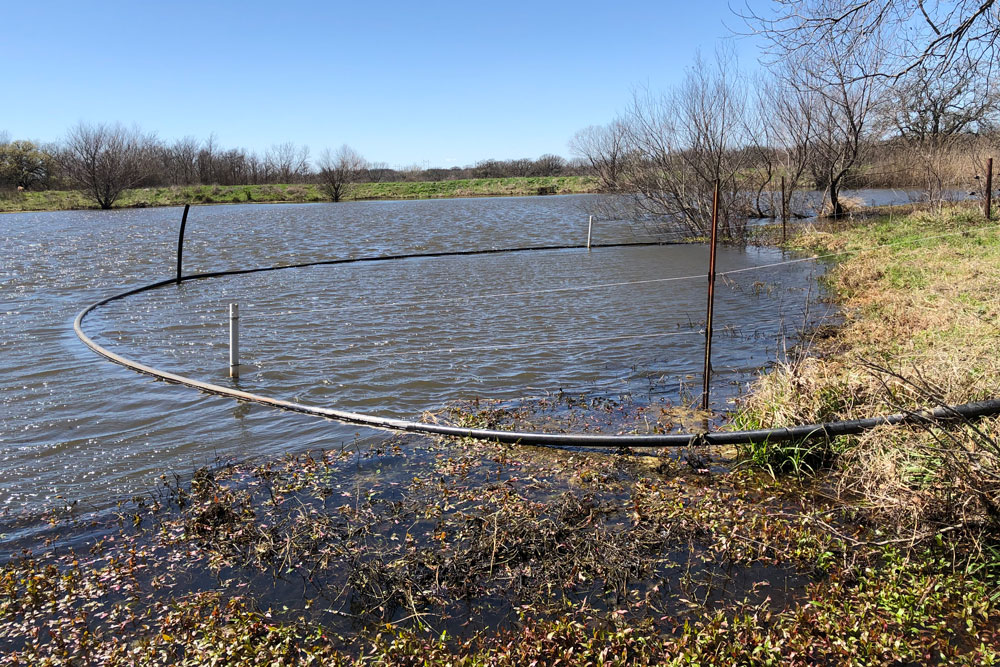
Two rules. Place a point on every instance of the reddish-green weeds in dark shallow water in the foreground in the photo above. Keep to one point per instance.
(461, 552)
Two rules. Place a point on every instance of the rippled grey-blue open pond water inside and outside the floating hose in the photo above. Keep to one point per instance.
(390, 338)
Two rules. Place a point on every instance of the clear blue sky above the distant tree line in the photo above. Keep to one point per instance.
(428, 83)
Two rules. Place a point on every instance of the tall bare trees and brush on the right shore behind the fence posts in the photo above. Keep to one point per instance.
(841, 102)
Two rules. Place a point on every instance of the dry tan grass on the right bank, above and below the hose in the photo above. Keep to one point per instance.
(921, 328)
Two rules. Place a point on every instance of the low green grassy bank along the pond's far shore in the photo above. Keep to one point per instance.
(60, 200)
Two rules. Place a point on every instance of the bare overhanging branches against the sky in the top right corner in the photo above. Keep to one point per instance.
(909, 33)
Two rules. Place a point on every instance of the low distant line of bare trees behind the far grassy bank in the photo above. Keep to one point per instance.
(105, 159)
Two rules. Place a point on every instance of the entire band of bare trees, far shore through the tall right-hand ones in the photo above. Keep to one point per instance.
(855, 93)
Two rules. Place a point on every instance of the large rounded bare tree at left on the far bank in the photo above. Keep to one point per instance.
(105, 160)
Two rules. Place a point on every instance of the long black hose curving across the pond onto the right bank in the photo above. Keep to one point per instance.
(806, 432)
